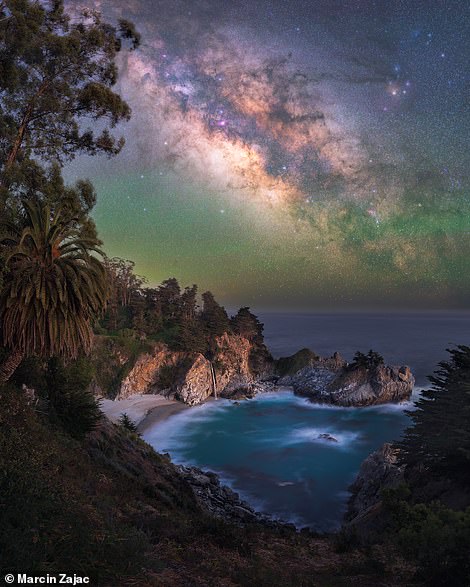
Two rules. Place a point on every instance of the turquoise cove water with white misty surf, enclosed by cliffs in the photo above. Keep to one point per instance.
(270, 451)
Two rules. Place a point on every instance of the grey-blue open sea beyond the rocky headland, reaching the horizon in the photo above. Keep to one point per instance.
(418, 340)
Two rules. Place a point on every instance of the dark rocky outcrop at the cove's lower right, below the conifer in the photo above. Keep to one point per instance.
(379, 471)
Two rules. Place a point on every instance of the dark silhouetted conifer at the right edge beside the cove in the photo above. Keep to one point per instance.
(439, 439)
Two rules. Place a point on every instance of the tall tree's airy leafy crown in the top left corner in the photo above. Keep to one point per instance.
(57, 75)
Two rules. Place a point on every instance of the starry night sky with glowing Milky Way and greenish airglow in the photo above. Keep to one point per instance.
(294, 154)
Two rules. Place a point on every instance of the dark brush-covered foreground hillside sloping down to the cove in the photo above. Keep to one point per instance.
(110, 507)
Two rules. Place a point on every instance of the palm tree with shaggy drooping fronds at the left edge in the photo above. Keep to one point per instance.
(53, 287)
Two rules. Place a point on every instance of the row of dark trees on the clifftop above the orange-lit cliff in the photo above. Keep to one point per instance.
(172, 315)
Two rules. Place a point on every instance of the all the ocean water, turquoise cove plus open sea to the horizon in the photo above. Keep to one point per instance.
(270, 448)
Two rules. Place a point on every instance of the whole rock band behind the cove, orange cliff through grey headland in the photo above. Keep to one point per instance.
(191, 378)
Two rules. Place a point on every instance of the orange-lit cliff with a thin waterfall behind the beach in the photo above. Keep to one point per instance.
(191, 377)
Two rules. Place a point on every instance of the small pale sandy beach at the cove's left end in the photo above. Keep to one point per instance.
(144, 410)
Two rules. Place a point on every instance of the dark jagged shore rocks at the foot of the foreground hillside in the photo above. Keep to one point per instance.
(221, 501)
